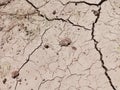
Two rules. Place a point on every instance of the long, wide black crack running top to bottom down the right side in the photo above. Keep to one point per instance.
(99, 51)
